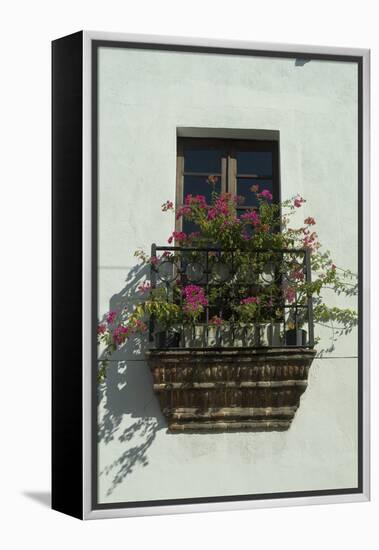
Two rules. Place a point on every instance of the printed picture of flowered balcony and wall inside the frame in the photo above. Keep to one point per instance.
(227, 275)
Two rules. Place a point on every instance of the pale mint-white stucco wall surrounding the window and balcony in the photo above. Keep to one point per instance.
(144, 97)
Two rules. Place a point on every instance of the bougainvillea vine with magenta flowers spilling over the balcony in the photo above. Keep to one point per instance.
(226, 225)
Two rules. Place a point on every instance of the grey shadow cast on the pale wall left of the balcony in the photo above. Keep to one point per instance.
(127, 394)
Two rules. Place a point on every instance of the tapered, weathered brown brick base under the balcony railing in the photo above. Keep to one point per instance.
(230, 389)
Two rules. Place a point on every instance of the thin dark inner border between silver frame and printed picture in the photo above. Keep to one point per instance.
(96, 44)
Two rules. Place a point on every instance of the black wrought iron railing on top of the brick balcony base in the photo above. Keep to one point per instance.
(287, 321)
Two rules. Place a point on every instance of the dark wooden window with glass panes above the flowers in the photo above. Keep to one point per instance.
(237, 164)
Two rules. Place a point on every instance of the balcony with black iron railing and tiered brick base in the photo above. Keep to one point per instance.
(242, 362)
